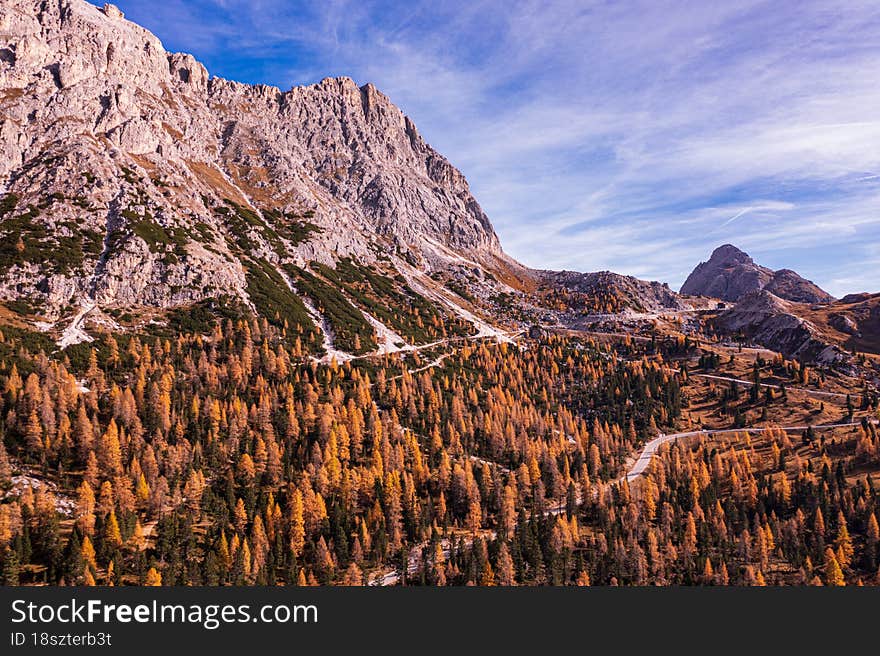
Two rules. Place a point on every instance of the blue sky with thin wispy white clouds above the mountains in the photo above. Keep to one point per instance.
(631, 136)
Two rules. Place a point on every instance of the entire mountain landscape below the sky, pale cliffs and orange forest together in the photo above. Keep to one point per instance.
(253, 336)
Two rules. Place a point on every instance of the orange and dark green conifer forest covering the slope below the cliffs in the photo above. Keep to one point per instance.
(232, 458)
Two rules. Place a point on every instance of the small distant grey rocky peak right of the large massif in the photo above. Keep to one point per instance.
(730, 273)
